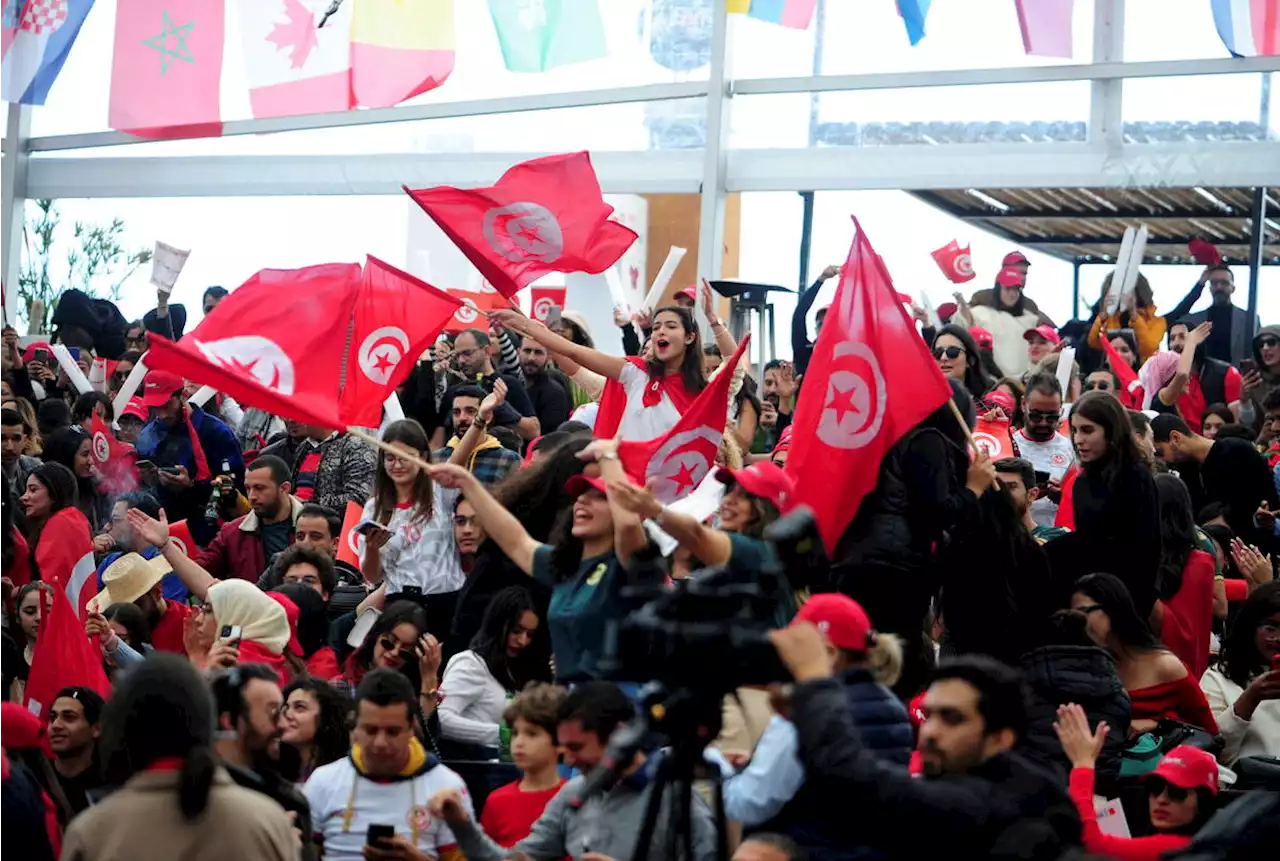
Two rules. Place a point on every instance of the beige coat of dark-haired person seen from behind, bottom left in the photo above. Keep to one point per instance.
(144, 823)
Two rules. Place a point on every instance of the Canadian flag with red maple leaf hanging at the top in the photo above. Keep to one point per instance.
(294, 67)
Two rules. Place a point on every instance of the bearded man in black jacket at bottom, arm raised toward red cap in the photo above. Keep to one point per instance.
(979, 798)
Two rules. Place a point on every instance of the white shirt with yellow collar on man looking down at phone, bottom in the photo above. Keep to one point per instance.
(400, 804)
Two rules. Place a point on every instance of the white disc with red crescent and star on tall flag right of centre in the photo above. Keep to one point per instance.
(854, 409)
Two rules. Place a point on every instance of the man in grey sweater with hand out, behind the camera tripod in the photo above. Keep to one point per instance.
(609, 825)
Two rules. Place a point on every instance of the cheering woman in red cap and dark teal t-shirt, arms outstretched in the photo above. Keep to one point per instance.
(586, 569)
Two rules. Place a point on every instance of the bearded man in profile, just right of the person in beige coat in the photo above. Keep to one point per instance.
(249, 700)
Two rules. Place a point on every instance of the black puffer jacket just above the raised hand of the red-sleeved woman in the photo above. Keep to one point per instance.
(1087, 677)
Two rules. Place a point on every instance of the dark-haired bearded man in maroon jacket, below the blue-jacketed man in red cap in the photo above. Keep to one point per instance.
(245, 547)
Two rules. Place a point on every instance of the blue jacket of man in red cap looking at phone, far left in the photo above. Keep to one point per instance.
(171, 447)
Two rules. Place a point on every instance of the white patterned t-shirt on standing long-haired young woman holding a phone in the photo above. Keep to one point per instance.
(422, 552)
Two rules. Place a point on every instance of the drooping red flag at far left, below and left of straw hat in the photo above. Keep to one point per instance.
(65, 657)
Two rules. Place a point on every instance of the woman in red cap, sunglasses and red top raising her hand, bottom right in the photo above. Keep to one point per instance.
(1181, 793)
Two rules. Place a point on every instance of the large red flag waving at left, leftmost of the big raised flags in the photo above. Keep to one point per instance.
(276, 344)
